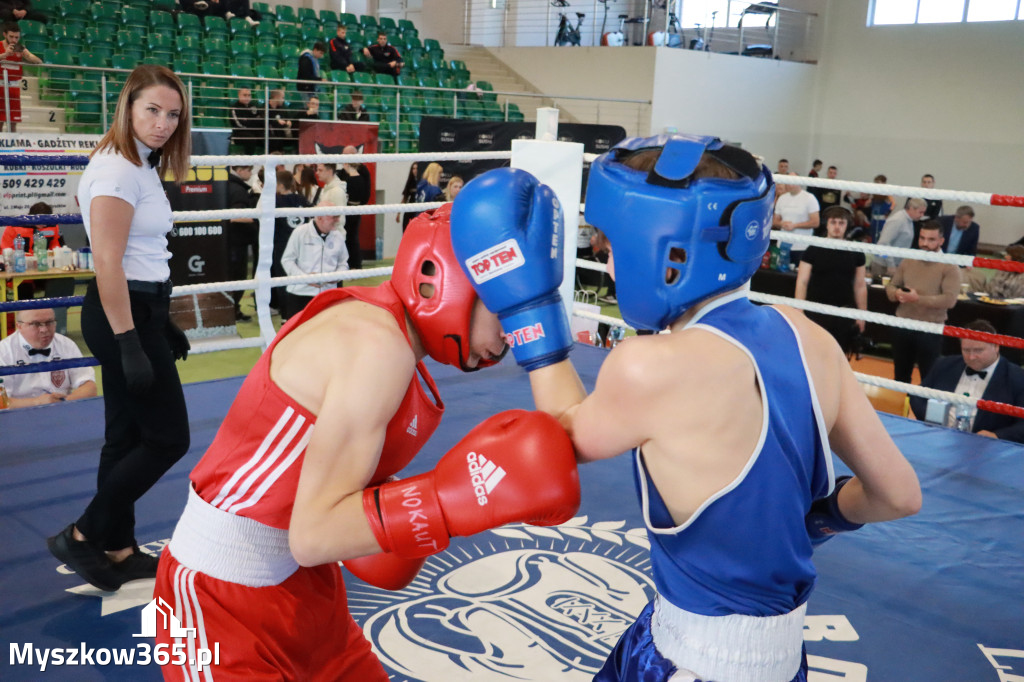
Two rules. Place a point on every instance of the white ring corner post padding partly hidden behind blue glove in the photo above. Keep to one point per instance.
(560, 165)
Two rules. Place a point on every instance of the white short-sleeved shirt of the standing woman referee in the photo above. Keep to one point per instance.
(110, 175)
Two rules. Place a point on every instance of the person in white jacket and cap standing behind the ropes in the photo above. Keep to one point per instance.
(315, 247)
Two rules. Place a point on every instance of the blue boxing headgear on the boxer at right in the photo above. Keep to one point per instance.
(679, 240)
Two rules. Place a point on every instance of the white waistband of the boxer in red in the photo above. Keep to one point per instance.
(230, 547)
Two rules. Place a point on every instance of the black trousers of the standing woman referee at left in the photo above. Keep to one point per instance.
(145, 436)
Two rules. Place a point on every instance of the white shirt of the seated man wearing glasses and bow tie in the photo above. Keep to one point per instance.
(15, 351)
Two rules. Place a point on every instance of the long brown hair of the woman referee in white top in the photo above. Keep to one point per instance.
(121, 137)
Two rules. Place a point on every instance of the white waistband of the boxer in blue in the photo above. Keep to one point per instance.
(731, 648)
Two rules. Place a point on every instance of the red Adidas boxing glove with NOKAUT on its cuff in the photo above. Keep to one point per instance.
(516, 466)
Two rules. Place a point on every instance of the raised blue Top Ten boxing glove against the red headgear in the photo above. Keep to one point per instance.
(507, 235)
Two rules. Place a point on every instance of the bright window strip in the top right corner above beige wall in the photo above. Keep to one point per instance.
(885, 13)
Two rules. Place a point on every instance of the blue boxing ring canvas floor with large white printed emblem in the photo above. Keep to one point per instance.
(938, 598)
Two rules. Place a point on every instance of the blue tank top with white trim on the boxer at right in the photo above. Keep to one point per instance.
(746, 550)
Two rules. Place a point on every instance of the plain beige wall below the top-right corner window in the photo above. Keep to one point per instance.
(905, 101)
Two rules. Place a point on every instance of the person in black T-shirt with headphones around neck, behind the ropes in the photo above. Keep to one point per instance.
(835, 278)
